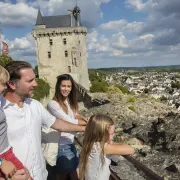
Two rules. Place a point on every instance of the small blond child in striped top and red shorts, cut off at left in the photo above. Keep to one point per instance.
(9, 164)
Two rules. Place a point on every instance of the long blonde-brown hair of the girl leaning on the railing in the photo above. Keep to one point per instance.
(96, 131)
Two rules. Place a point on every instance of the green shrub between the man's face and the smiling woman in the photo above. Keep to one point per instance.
(42, 90)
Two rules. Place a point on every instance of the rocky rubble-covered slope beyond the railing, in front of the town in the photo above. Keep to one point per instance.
(148, 125)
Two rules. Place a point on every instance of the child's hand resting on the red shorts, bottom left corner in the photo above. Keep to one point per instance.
(8, 168)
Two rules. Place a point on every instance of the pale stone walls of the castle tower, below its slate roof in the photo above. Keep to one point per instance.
(74, 64)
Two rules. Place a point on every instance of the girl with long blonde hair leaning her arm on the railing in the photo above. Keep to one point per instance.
(94, 165)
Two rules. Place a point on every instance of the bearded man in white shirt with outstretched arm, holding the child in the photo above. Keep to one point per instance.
(25, 117)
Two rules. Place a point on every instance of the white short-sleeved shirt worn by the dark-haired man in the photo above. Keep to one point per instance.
(24, 133)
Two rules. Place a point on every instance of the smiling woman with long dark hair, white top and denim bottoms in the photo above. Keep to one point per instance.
(65, 106)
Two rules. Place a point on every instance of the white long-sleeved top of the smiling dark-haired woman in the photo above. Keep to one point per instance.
(56, 110)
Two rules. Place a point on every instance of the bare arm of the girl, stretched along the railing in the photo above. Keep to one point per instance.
(118, 149)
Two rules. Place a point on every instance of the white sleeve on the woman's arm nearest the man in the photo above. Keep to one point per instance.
(55, 109)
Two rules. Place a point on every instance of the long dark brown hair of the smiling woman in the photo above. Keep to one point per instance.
(72, 95)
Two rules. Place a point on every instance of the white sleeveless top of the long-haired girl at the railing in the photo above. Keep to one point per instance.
(95, 170)
